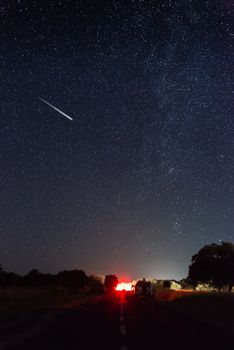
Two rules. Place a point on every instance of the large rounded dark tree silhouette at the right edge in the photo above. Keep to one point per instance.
(214, 263)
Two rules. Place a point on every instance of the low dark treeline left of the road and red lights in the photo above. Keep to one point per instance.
(75, 279)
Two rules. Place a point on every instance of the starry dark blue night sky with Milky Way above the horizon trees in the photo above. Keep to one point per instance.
(143, 176)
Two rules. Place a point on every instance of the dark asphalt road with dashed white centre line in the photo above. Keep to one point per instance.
(121, 323)
